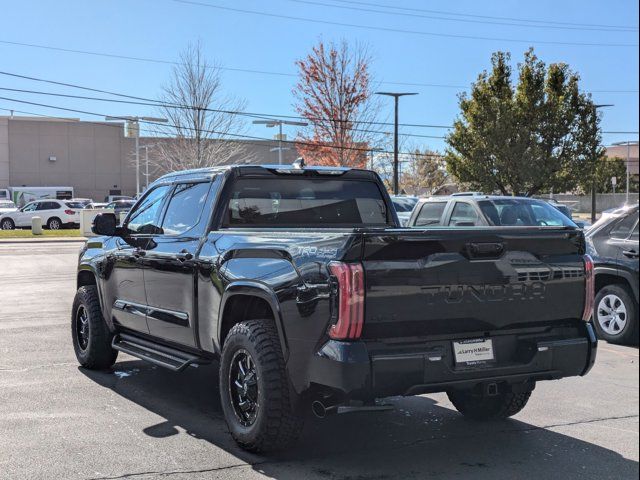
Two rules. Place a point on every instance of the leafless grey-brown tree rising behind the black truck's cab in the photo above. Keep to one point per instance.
(202, 118)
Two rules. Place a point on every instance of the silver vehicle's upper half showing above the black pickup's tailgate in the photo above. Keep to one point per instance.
(486, 211)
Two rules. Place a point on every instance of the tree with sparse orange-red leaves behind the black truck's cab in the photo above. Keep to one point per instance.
(334, 94)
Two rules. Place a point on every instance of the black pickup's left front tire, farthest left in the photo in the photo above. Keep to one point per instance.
(90, 335)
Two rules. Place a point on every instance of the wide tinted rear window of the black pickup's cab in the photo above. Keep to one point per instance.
(300, 202)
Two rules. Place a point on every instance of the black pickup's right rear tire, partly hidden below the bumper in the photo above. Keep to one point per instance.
(479, 407)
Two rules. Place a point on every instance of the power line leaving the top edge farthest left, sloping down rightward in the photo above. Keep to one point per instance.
(398, 30)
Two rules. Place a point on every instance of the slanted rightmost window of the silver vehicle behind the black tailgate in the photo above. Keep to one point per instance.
(518, 212)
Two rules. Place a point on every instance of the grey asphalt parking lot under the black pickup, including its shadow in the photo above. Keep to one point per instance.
(137, 421)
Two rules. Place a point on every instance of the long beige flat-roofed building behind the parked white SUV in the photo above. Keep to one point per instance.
(95, 158)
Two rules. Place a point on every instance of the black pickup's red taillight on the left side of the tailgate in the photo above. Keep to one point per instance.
(350, 278)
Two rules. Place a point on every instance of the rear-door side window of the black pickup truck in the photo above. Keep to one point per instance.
(185, 207)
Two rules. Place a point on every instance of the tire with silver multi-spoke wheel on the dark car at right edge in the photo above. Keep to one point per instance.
(616, 315)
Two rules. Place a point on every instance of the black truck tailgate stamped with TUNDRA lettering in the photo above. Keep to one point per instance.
(457, 281)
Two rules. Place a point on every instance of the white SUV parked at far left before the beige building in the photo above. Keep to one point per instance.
(55, 214)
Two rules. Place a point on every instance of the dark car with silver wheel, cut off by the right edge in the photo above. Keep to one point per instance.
(613, 244)
